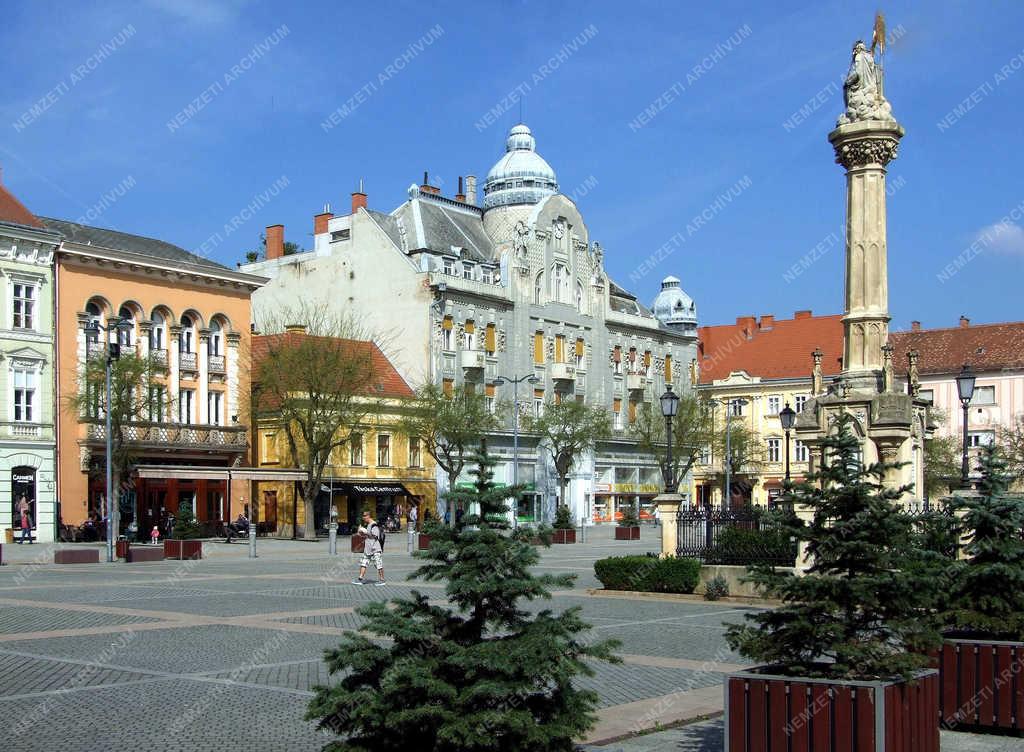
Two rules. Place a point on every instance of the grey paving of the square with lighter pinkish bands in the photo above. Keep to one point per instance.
(223, 654)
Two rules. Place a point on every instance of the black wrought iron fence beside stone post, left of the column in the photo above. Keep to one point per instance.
(735, 536)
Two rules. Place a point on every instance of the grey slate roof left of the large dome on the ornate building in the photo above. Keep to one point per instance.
(442, 227)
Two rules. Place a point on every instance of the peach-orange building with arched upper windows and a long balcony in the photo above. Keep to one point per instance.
(189, 313)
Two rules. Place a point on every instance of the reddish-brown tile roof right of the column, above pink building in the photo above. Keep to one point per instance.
(986, 348)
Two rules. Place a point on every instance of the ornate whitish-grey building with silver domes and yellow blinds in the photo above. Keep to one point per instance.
(513, 288)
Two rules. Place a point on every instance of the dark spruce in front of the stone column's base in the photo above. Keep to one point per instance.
(858, 610)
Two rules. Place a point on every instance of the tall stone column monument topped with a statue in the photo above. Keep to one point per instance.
(892, 426)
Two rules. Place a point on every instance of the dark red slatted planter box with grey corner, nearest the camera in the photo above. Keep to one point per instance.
(765, 713)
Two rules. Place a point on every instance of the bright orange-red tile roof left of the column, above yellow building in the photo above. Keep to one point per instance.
(772, 349)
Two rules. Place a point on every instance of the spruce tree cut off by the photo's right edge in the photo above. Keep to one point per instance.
(988, 589)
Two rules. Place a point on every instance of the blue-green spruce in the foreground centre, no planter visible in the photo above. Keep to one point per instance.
(479, 674)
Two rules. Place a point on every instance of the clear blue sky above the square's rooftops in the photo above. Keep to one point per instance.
(108, 81)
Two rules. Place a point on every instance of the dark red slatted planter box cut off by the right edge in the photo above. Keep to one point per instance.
(983, 684)
